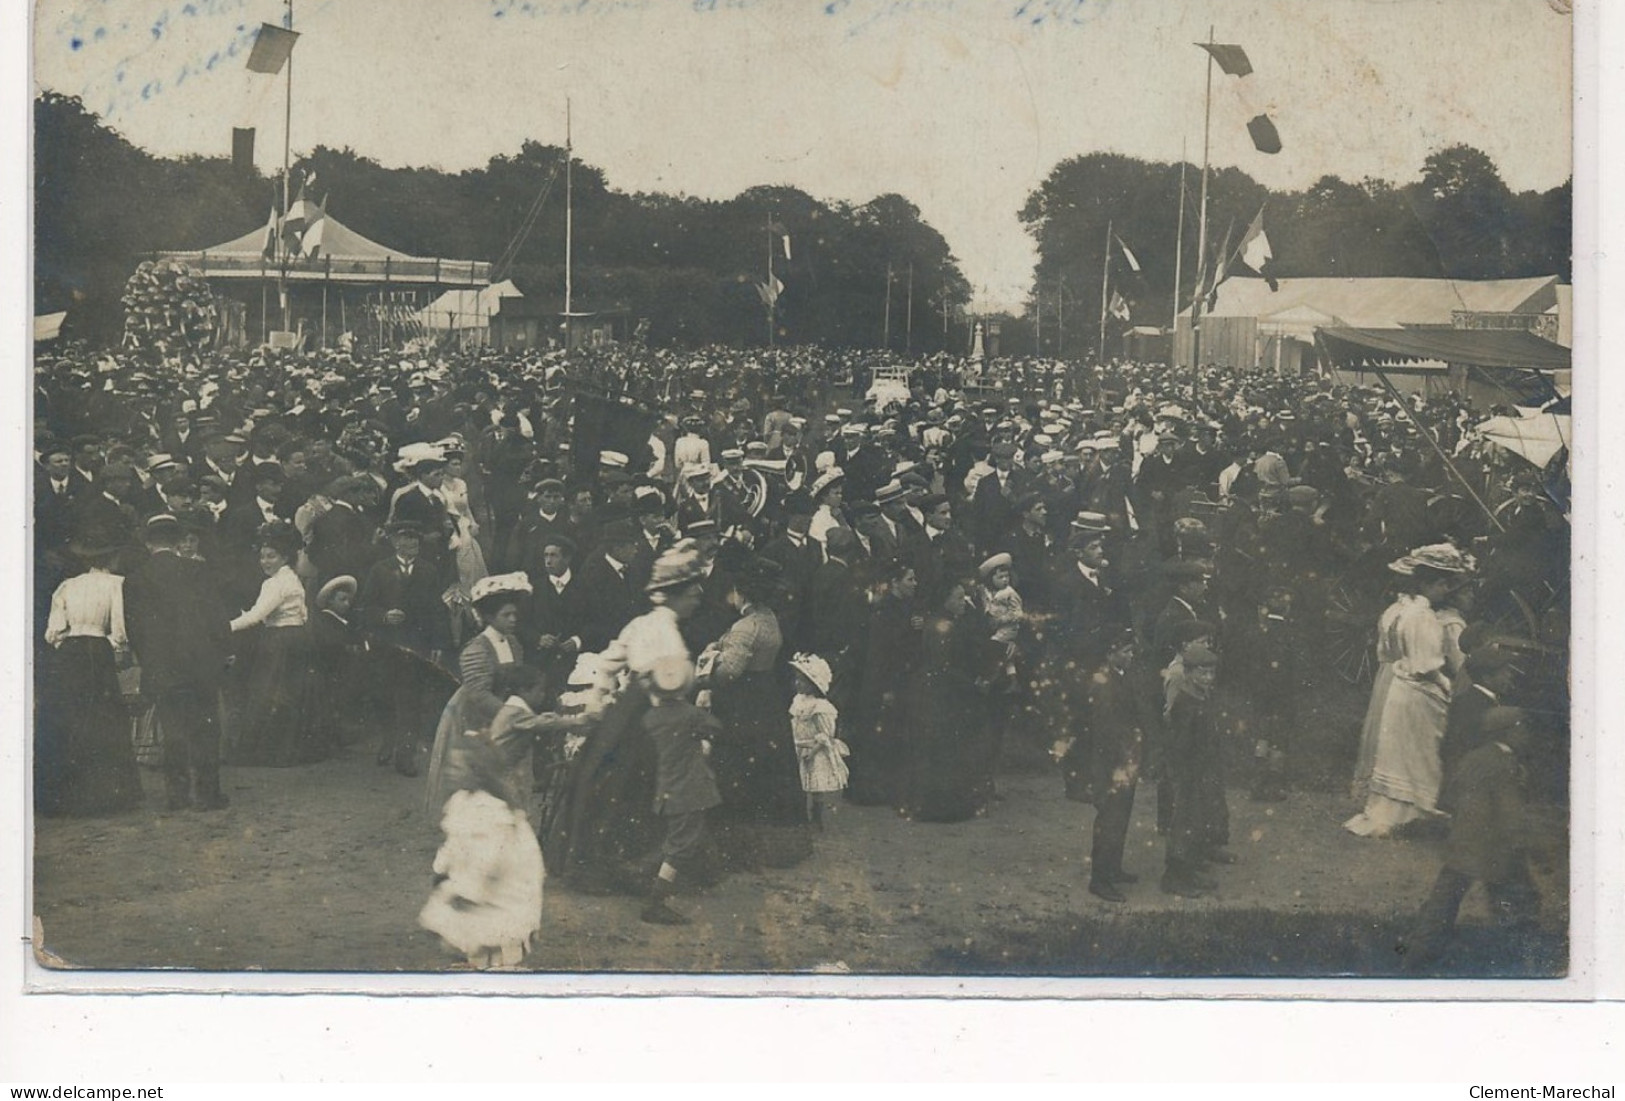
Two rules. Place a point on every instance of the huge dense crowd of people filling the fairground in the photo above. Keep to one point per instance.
(657, 654)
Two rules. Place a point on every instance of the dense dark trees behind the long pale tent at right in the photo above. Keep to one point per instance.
(1460, 220)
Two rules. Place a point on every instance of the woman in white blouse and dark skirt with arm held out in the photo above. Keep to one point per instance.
(279, 670)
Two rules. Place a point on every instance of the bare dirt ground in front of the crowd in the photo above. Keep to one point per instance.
(324, 868)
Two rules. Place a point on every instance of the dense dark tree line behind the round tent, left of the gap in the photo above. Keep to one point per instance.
(691, 267)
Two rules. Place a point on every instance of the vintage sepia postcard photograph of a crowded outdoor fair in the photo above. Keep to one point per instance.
(636, 491)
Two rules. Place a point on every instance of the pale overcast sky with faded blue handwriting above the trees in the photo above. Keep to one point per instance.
(963, 106)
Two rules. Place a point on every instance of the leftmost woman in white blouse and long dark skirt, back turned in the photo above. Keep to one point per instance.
(84, 756)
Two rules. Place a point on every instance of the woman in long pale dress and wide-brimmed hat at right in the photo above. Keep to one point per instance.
(1408, 714)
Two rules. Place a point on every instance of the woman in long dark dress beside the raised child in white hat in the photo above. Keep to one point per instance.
(950, 762)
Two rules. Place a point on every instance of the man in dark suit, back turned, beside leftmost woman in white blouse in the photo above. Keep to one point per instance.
(181, 633)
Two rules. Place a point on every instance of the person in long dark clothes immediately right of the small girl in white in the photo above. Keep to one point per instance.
(880, 715)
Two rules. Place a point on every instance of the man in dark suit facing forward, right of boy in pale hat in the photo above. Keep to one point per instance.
(401, 605)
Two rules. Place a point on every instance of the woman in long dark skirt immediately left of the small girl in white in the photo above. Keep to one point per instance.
(763, 816)
